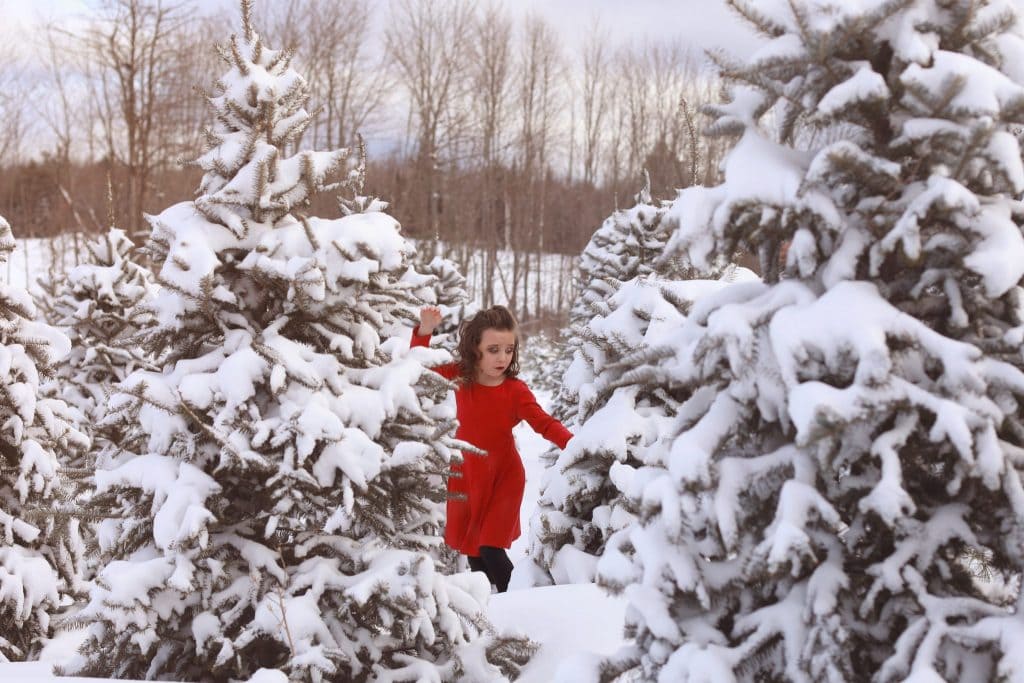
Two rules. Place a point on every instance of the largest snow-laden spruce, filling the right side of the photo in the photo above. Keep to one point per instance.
(841, 499)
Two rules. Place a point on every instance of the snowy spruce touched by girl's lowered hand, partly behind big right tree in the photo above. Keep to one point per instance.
(625, 406)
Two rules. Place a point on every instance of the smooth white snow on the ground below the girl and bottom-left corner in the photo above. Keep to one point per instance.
(569, 622)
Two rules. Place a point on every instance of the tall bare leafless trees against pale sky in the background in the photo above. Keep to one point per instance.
(486, 131)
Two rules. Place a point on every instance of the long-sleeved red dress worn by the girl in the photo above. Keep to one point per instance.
(491, 486)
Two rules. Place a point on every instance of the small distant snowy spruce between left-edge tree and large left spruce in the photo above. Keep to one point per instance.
(101, 307)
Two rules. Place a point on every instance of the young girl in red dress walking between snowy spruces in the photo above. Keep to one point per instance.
(484, 503)
